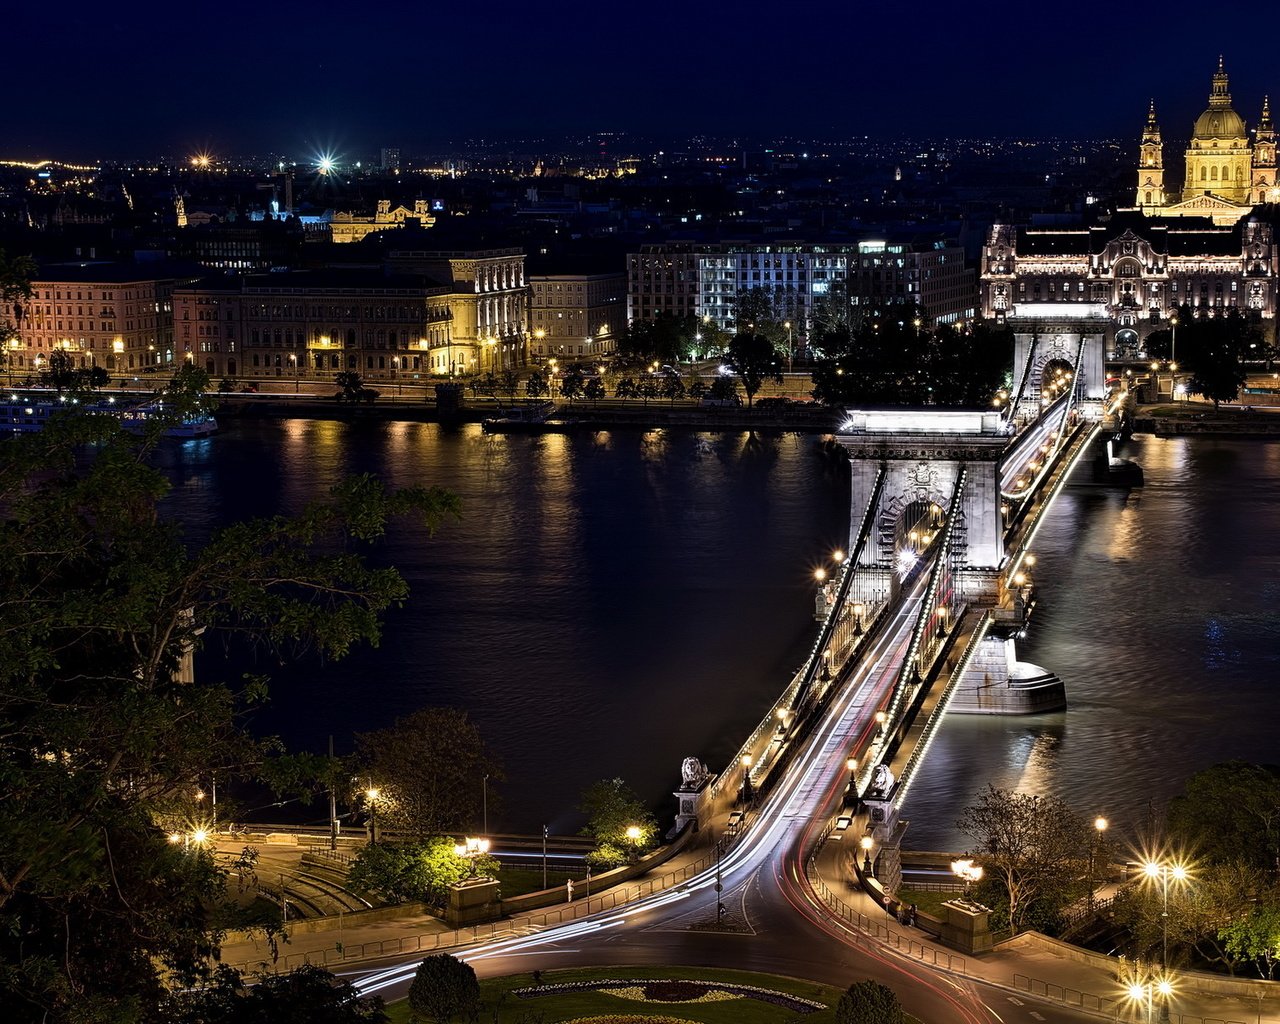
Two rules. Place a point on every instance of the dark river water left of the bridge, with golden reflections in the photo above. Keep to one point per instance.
(609, 606)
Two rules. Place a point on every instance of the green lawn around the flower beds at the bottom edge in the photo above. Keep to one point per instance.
(570, 1005)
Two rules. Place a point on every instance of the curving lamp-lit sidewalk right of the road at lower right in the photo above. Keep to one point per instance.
(1025, 966)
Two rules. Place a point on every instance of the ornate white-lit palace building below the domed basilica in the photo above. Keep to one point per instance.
(1133, 272)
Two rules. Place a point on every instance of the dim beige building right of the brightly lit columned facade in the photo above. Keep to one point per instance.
(577, 317)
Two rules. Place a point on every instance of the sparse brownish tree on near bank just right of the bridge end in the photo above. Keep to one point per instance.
(1032, 844)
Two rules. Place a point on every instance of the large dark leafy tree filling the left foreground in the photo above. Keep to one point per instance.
(102, 734)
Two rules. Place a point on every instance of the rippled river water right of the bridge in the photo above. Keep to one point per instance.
(1159, 611)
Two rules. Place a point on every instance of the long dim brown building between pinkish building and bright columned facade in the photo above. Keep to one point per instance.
(317, 324)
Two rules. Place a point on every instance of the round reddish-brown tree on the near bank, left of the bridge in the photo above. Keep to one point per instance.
(429, 769)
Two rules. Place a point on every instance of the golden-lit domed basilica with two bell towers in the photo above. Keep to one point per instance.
(1227, 175)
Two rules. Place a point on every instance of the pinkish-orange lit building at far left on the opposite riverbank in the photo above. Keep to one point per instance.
(118, 317)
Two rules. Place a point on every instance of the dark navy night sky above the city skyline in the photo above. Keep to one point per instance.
(93, 80)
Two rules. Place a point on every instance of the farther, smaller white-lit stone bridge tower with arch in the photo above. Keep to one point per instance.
(1046, 341)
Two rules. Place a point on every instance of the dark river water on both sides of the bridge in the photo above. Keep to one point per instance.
(614, 604)
